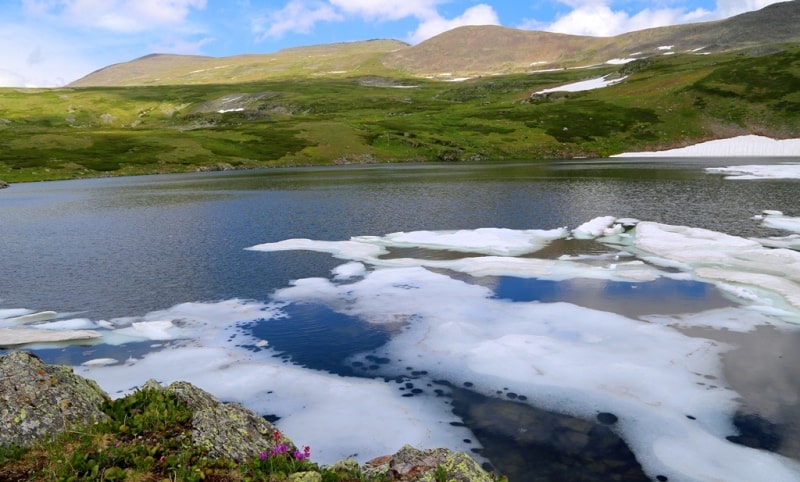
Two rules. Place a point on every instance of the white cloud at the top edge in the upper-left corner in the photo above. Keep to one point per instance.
(116, 15)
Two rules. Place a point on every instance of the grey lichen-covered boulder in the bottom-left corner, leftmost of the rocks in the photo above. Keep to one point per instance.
(38, 400)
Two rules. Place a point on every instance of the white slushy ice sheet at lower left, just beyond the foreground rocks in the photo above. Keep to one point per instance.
(336, 416)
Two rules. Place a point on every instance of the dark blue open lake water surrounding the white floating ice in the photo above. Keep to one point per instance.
(107, 248)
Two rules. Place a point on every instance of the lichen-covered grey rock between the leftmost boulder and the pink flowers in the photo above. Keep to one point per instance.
(227, 430)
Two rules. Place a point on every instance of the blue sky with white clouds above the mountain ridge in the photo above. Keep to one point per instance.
(48, 43)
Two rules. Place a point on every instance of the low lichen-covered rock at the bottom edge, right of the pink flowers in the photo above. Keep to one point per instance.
(414, 465)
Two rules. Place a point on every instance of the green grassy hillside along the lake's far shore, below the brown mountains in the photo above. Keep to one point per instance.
(666, 101)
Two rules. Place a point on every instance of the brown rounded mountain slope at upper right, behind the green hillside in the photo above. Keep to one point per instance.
(490, 49)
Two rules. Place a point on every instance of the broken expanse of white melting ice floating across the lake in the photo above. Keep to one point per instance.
(445, 321)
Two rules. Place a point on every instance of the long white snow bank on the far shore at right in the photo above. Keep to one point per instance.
(742, 146)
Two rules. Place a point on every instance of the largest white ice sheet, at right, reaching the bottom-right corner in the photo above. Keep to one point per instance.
(584, 361)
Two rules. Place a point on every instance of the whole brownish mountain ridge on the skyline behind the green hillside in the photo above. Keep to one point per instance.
(467, 51)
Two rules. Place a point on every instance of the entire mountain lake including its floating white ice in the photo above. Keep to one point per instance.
(613, 319)
